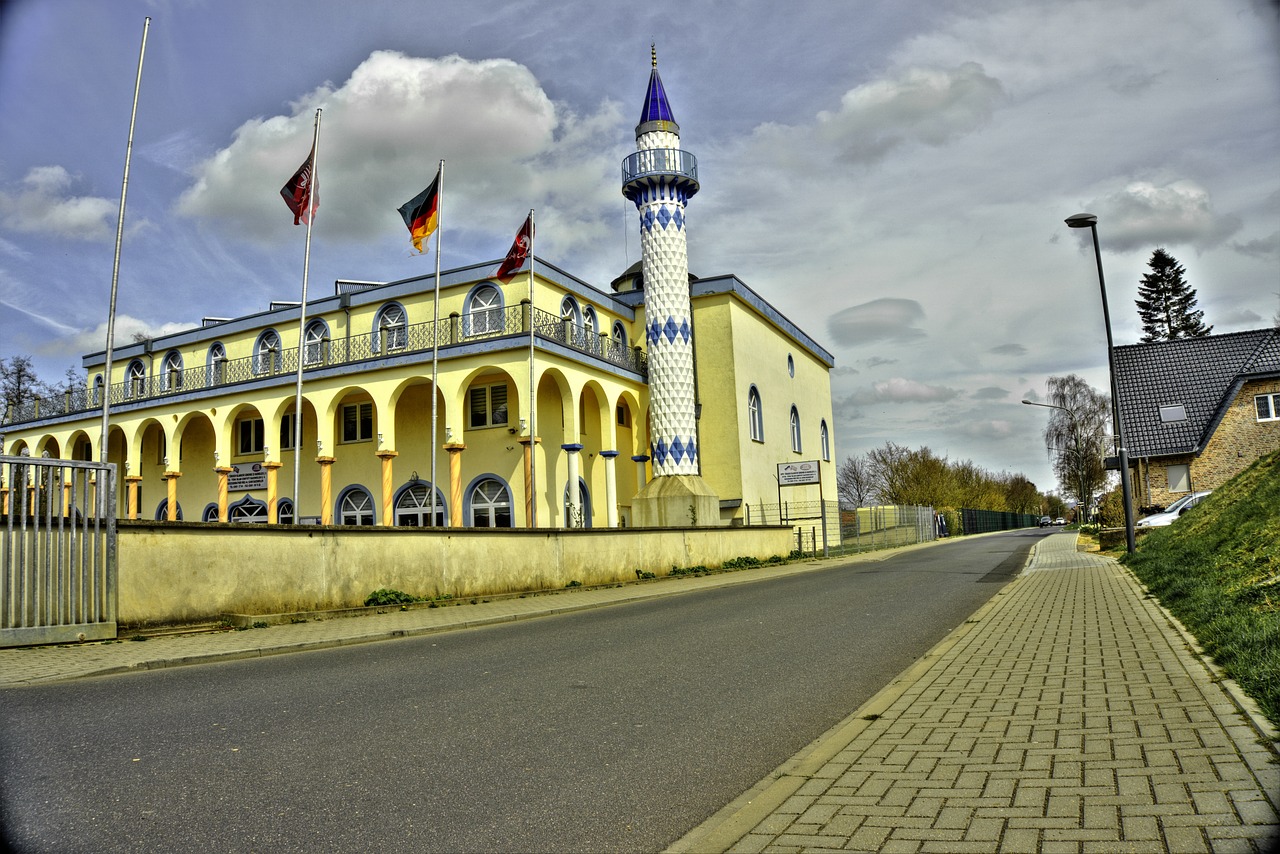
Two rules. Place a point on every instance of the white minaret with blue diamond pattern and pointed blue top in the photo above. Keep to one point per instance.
(661, 180)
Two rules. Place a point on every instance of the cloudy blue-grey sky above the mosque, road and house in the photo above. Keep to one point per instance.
(892, 177)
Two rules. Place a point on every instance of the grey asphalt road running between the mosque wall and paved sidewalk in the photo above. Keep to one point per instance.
(615, 729)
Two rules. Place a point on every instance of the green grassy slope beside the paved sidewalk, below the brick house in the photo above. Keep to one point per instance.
(1218, 570)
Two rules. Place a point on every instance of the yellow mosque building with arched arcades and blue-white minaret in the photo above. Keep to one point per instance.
(664, 400)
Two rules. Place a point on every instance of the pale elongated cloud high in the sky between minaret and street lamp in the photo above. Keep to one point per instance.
(930, 107)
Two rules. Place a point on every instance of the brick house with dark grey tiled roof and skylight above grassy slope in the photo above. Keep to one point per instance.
(1197, 412)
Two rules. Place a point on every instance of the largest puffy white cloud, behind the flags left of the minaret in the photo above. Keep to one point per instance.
(383, 134)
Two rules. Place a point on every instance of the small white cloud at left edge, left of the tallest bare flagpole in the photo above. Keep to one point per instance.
(43, 205)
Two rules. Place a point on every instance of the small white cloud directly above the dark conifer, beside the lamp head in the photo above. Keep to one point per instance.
(1142, 217)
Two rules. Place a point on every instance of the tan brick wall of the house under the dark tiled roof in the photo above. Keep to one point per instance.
(1240, 440)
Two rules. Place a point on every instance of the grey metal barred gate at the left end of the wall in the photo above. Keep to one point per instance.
(58, 573)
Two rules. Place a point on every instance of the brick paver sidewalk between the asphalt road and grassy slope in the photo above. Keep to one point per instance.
(1069, 715)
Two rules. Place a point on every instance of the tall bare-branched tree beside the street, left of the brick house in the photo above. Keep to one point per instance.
(1077, 433)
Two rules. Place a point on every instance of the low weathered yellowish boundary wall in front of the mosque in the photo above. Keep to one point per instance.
(175, 573)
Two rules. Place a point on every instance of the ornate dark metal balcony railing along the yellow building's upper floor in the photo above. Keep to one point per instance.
(419, 339)
